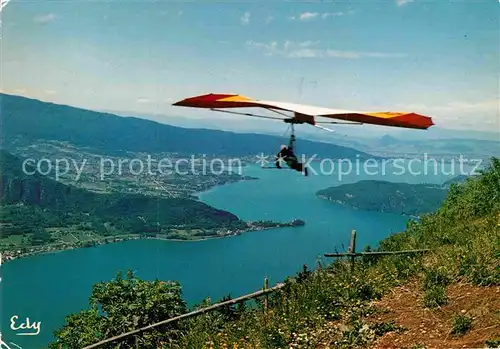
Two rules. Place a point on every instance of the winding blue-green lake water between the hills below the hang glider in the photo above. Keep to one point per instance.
(48, 287)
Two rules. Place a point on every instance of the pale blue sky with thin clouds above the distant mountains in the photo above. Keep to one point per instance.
(437, 58)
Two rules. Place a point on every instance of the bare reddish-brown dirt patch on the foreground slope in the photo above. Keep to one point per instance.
(432, 328)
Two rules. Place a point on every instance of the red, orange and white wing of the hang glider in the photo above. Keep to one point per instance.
(307, 113)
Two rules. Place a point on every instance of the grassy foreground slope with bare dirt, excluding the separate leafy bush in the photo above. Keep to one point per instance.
(333, 308)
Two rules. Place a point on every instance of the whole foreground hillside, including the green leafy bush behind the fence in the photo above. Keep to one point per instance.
(448, 297)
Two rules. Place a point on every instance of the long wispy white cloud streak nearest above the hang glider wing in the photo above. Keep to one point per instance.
(311, 49)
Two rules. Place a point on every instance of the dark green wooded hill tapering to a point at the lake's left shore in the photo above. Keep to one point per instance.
(33, 203)
